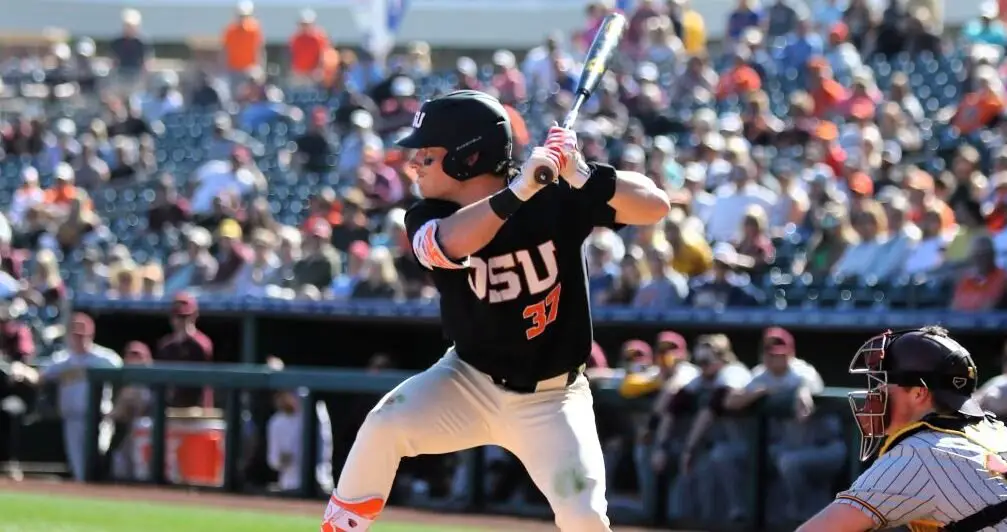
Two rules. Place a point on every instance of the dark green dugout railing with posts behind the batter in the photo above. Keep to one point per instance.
(231, 380)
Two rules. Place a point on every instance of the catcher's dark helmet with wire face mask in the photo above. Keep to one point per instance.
(925, 357)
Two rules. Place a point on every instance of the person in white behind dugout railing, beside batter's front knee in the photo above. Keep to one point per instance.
(284, 442)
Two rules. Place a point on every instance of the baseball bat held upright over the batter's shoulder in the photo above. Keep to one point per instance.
(596, 65)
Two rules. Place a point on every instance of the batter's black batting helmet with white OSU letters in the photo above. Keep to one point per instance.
(466, 123)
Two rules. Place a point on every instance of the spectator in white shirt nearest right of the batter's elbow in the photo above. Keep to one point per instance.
(734, 201)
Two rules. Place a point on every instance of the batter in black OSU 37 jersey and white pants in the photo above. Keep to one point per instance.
(506, 254)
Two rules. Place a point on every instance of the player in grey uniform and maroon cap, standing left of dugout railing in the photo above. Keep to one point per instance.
(69, 371)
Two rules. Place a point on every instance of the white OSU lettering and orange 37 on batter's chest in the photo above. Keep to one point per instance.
(507, 278)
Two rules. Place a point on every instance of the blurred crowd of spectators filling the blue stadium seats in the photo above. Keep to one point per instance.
(834, 156)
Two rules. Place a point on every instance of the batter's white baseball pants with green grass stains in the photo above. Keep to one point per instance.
(452, 407)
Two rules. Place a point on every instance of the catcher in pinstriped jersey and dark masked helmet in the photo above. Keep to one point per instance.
(941, 462)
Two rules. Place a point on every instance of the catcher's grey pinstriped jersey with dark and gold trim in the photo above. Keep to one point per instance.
(934, 478)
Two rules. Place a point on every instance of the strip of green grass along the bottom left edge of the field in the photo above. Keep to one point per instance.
(37, 513)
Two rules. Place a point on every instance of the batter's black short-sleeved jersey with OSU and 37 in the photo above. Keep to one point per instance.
(518, 309)
